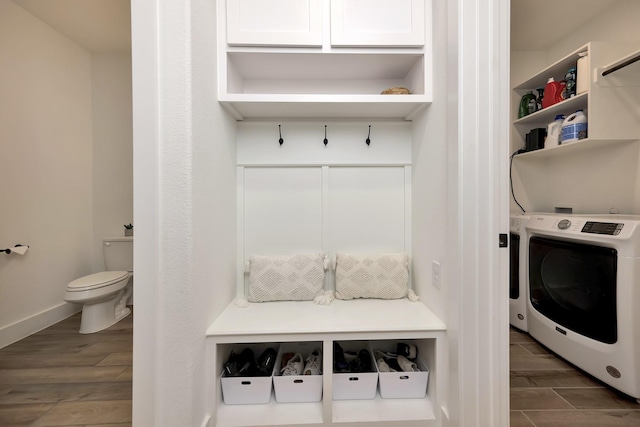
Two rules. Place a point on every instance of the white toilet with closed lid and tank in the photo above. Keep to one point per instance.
(104, 295)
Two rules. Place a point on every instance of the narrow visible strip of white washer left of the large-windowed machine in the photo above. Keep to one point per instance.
(518, 277)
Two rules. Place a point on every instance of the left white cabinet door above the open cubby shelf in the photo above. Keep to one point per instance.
(274, 22)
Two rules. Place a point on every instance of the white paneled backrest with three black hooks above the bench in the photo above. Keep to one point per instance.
(303, 197)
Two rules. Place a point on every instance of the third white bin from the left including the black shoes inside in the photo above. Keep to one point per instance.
(354, 377)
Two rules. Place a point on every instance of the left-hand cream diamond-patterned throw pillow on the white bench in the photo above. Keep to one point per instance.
(285, 278)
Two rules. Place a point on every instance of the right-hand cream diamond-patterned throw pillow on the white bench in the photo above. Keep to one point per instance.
(382, 276)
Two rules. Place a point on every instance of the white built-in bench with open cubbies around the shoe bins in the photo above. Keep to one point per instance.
(340, 321)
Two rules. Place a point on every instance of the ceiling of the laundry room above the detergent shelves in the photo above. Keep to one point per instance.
(539, 24)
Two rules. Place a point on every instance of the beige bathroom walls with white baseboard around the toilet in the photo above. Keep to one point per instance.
(66, 163)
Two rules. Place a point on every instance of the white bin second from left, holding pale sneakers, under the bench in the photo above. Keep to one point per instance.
(297, 388)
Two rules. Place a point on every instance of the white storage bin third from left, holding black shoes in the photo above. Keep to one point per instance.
(355, 385)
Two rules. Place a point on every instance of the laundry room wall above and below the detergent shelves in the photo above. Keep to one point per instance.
(603, 178)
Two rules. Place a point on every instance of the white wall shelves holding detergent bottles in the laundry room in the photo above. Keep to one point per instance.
(605, 102)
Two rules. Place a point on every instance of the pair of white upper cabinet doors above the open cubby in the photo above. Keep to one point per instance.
(352, 23)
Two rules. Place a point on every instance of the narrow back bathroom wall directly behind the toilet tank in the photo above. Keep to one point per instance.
(112, 148)
